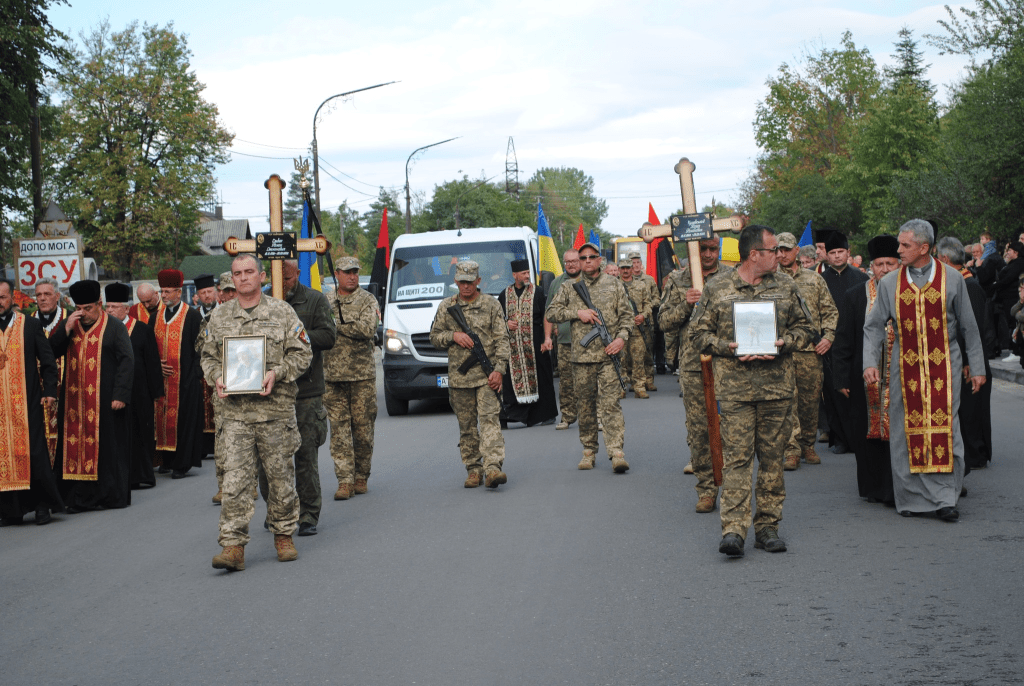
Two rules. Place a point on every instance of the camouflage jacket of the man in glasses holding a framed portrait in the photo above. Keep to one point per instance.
(713, 331)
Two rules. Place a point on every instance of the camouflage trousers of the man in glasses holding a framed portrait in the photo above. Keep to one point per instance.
(748, 428)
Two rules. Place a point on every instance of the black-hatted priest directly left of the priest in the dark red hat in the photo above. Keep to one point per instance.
(148, 385)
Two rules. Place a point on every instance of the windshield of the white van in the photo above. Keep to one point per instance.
(428, 273)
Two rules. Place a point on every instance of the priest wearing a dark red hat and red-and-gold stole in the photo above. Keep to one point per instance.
(179, 414)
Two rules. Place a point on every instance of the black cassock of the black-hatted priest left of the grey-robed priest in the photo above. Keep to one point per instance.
(875, 477)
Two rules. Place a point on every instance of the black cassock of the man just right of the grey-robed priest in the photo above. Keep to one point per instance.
(976, 409)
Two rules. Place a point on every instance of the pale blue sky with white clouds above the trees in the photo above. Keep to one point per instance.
(619, 91)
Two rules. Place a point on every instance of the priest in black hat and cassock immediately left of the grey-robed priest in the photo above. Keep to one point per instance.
(867, 424)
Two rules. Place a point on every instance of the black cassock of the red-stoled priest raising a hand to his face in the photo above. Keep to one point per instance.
(111, 490)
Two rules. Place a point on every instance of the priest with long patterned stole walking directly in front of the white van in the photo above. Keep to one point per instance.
(529, 388)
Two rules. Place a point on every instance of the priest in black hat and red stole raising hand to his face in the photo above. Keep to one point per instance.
(94, 461)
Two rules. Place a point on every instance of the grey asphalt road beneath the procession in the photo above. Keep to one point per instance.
(561, 577)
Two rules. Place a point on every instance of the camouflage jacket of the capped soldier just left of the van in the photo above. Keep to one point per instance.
(352, 359)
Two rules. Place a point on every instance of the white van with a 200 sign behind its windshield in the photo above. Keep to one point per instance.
(422, 275)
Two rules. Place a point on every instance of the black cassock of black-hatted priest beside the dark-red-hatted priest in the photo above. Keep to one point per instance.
(149, 384)
